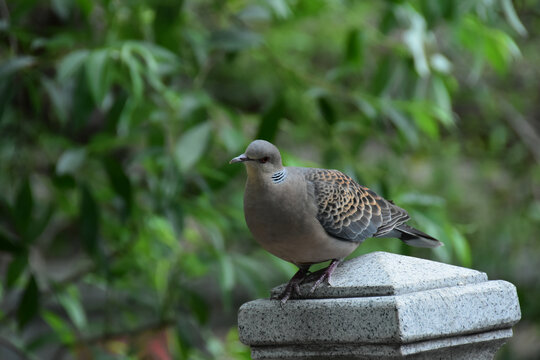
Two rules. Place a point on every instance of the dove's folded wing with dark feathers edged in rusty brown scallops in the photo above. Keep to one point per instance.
(348, 210)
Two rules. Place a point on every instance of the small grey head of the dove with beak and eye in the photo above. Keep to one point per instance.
(260, 156)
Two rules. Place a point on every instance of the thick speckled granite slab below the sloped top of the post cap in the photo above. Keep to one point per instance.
(403, 318)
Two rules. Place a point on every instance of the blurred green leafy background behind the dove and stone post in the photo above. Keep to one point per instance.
(121, 225)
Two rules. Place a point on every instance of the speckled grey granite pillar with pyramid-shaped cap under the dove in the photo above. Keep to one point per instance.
(386, 306)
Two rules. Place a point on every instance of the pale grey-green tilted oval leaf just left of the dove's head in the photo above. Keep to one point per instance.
(191, 145)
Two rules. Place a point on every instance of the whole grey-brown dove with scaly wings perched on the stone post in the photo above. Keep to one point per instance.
(308, 216)
